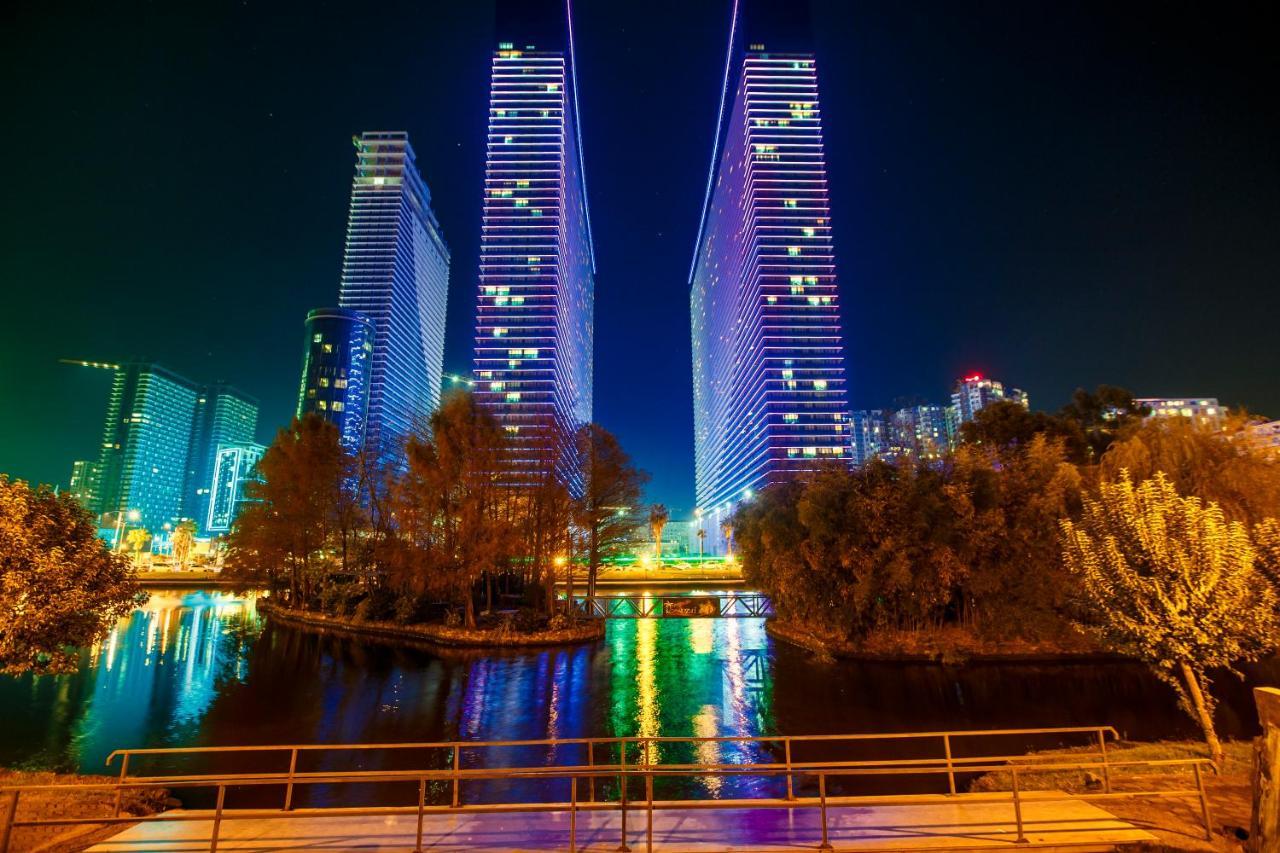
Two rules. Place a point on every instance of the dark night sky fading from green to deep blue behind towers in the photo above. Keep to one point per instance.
(1054, 195)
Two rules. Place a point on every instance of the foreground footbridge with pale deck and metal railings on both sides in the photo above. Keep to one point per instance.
(757, 793)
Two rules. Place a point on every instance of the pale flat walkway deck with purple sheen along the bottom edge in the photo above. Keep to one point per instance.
(950, 824)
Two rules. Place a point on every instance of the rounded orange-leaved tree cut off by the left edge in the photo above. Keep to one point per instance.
(61, 587)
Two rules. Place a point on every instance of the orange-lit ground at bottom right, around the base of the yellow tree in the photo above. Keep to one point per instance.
(1176, 822)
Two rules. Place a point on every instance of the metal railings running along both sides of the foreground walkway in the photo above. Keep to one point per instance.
(628, 768)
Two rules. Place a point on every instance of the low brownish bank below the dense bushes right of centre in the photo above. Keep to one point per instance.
(940, 646)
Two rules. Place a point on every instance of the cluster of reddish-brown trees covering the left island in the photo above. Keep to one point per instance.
(445, 535)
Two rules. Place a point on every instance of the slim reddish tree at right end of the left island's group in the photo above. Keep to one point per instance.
(612, 486)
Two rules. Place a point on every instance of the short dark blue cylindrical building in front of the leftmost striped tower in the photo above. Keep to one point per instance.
(336, 370)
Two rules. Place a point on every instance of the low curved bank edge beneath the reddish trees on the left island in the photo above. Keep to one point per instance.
(437, 635)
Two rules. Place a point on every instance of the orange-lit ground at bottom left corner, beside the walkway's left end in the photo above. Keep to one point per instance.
(34, 806)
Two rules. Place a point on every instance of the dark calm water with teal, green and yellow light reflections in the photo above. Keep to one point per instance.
(199, 668)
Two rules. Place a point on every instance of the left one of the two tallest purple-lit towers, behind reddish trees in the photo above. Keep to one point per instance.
(533, 346)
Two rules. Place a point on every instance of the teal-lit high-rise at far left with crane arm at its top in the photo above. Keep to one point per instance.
(147, 444)
